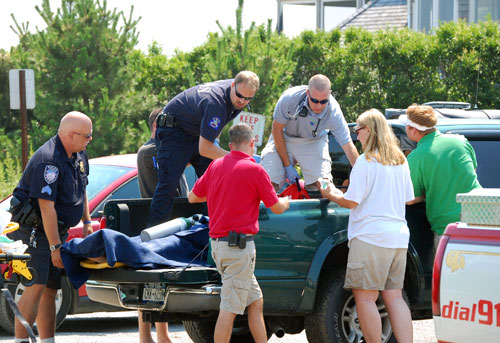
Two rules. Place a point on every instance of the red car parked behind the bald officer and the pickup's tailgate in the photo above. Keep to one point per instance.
(111, 177)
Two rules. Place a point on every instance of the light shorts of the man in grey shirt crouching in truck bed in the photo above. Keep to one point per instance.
(312, 155)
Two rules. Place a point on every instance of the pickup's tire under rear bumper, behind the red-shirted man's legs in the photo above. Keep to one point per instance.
(203, 331)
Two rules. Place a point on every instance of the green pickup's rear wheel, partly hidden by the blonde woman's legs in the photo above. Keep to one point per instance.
(335, 319)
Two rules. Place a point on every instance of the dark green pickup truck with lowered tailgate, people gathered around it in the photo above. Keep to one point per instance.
(301, 259)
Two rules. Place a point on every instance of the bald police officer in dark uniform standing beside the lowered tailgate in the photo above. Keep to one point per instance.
(48, 200)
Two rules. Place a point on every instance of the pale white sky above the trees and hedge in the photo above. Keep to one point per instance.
(177, 24)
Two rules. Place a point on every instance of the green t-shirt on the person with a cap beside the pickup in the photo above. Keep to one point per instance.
(442, 166)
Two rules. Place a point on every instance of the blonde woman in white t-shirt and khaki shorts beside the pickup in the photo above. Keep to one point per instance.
(380, 186)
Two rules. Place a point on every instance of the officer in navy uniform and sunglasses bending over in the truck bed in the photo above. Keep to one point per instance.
(187, 129)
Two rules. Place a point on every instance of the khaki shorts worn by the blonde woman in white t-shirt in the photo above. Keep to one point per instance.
(372, 267)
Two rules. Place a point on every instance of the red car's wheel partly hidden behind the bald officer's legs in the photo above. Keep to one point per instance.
(63, 301)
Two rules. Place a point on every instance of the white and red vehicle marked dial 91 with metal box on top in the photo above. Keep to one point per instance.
(466, 276)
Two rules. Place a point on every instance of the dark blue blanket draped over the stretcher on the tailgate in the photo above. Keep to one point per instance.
(177, 250)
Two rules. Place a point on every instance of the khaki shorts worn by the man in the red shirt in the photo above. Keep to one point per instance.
(236, 267)
